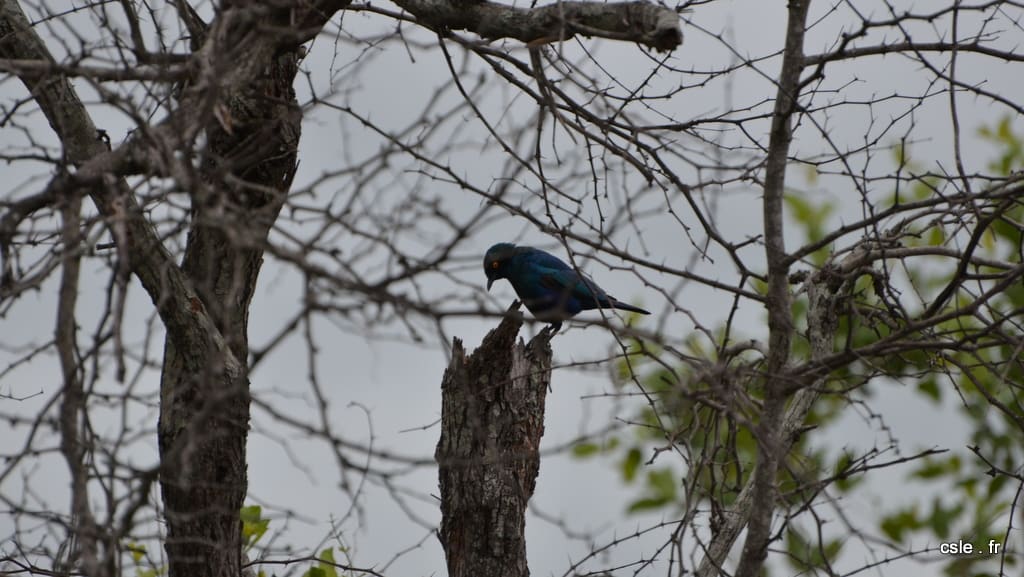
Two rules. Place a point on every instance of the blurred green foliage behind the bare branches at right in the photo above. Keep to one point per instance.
(967, 492)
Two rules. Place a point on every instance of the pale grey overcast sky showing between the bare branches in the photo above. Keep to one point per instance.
(389, 389)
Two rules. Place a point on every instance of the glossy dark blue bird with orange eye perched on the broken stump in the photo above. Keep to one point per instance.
(552, 291)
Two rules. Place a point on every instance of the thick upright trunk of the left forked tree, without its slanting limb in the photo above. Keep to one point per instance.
(204, 419)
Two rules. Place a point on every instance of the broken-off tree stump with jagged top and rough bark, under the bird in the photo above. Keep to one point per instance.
(492, 424)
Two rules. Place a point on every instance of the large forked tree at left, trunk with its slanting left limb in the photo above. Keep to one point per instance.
(252, 126)
